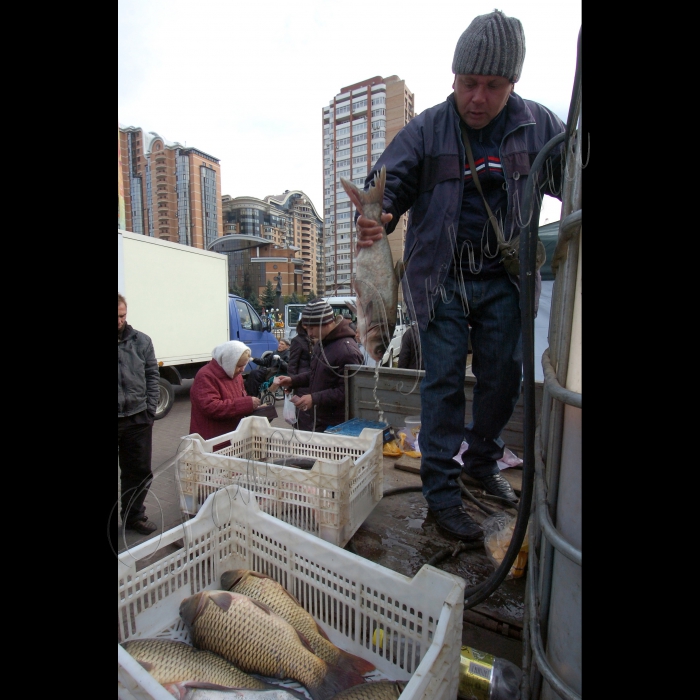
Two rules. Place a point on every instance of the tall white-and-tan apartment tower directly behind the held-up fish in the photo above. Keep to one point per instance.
(358, 124)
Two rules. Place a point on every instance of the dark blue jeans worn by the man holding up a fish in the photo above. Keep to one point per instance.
(492, 309)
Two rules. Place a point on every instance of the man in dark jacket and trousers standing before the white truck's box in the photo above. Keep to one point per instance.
(138, 392)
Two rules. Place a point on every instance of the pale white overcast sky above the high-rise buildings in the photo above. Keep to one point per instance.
(246, 82)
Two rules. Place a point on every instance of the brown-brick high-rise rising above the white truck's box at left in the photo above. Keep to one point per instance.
(170, 192)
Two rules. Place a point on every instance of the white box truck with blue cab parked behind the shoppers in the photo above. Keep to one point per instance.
(178, 295)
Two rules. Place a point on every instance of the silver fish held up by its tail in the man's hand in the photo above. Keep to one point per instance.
(376, 277)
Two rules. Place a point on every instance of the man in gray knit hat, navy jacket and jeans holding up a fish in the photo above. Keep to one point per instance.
(454, 271)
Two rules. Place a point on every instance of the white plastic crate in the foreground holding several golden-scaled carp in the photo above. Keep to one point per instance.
(350, 597)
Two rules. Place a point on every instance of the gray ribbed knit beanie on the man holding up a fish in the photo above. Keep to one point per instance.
(492, 44)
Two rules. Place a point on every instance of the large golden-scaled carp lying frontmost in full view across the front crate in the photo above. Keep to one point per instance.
(255, 639)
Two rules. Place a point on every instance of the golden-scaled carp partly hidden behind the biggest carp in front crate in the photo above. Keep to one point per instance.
(281, 601)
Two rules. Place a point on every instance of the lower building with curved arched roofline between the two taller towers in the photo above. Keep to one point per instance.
(283, 237)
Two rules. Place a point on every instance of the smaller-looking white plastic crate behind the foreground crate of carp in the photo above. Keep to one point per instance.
(330, 500)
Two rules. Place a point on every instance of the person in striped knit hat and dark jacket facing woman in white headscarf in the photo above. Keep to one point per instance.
(335, 347)
